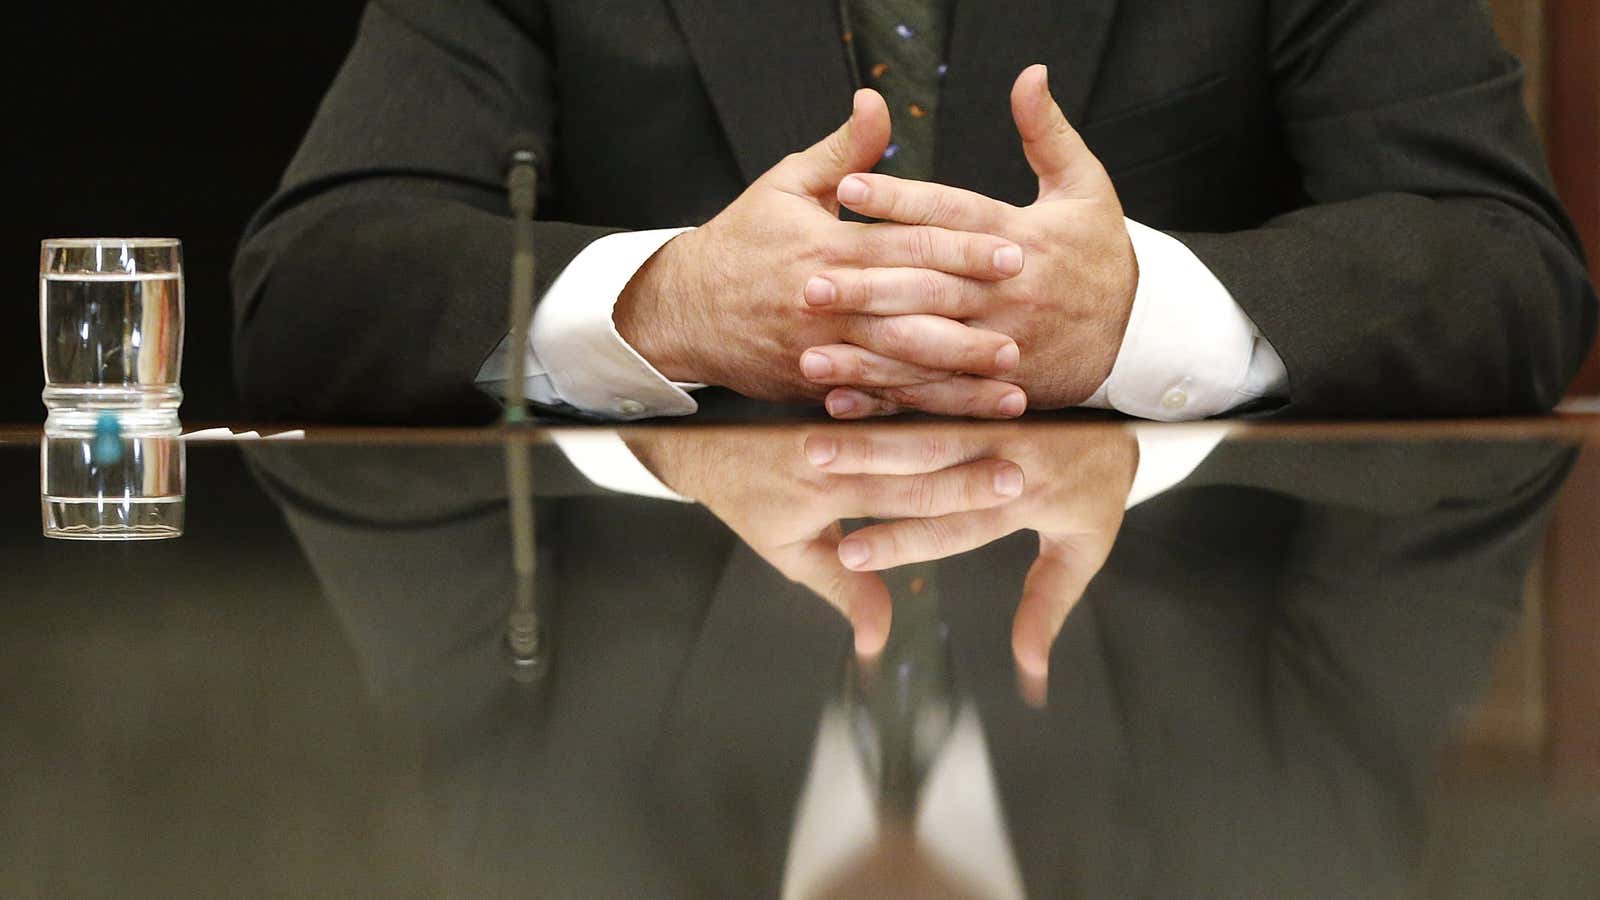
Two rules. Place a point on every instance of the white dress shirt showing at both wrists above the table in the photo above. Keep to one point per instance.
(1190, 350)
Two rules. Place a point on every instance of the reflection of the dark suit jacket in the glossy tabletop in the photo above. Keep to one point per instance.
(1244, 704)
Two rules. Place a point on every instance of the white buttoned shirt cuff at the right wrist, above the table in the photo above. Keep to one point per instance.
(1190, 350)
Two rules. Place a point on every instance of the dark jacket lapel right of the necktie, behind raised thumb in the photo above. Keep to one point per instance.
(990, 46)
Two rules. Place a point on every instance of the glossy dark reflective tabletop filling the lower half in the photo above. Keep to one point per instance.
(1063, 659)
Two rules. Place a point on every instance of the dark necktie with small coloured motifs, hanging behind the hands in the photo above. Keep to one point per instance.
(898, 49)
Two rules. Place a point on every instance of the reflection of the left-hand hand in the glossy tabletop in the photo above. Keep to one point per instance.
(790, 512)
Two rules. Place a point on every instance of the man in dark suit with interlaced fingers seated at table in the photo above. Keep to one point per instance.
(1329, 207)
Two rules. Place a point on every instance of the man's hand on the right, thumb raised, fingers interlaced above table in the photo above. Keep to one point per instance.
(1068, 310)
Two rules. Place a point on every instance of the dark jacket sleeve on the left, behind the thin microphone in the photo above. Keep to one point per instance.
(375, 283)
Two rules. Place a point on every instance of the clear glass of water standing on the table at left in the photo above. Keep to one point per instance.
(111, 326)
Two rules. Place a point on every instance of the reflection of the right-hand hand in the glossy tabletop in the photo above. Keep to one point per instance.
(1076, 491)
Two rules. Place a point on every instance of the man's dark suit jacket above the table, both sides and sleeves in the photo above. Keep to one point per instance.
(1361, 175)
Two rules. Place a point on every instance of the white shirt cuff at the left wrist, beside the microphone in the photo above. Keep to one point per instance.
(575, 355)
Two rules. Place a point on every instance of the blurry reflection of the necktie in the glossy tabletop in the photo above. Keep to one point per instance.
(903, 705)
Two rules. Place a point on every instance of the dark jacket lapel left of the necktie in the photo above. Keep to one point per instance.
(775, 70)
